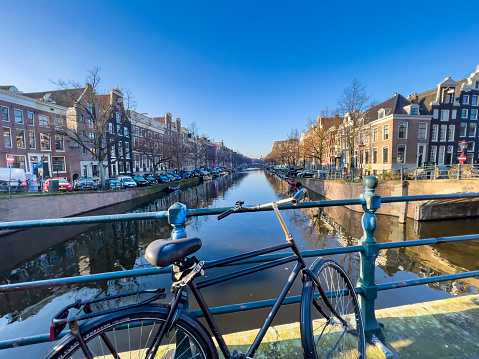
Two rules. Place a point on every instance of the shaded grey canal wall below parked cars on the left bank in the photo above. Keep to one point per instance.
(48, 205)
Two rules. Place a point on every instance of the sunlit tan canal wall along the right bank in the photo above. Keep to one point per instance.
(418, 210)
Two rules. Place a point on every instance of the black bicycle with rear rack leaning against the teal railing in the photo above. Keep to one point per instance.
(331, 324)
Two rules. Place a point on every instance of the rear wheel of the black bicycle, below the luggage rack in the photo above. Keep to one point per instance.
(131, 333)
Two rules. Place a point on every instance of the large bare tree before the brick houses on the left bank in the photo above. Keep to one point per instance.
(95, 122)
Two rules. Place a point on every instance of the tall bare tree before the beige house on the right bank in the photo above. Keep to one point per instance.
(352, 102)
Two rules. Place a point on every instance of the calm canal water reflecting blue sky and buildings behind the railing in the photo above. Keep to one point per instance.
(45, 253)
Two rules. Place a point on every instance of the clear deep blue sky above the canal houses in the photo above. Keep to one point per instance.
(246, 72)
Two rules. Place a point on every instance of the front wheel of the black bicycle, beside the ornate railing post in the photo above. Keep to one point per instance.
(323, 338)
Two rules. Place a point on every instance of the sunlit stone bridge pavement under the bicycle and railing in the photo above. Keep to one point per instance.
(437, 329)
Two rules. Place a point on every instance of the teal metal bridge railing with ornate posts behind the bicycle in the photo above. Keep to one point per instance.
(177, 215)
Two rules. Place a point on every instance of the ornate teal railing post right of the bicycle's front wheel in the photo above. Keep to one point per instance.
(371, 203)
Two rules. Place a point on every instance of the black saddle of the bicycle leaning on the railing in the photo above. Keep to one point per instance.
(164, 252)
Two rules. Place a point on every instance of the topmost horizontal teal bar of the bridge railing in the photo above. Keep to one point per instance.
(214, 211)
